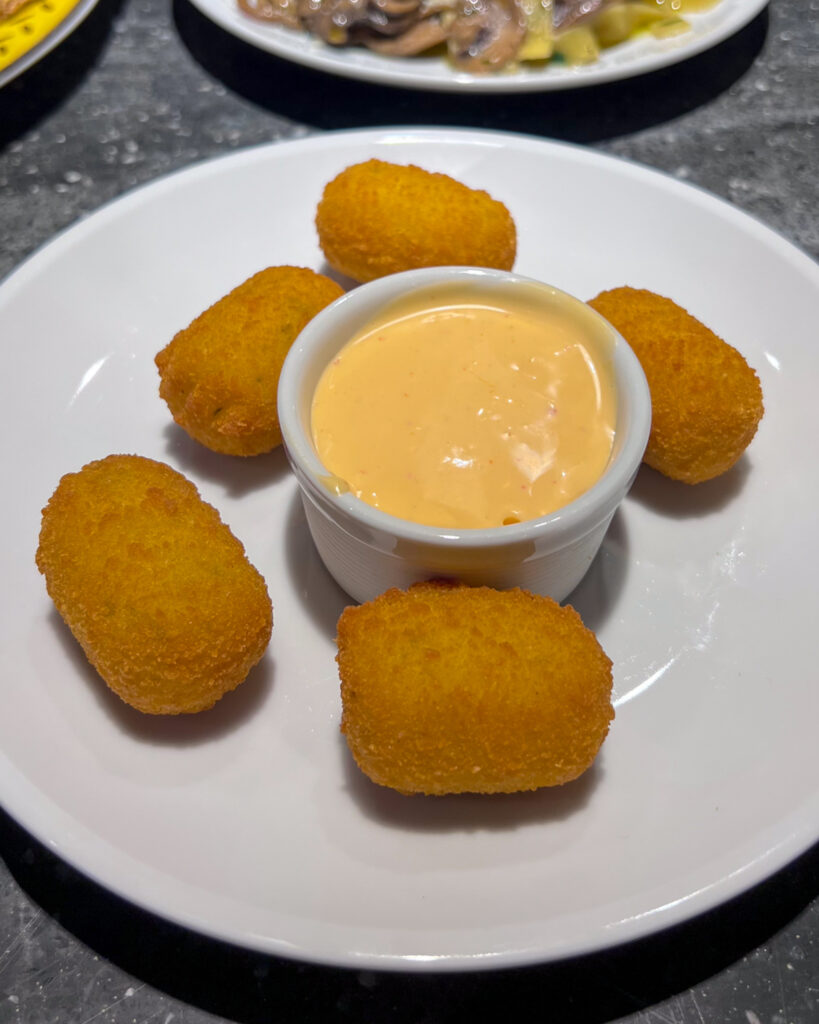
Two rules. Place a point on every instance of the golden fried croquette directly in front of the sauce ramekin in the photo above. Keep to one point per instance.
(456, 690)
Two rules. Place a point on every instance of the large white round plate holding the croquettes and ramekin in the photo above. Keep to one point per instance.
(250, 823)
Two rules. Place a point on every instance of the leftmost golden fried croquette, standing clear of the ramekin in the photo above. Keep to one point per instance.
(153, 585)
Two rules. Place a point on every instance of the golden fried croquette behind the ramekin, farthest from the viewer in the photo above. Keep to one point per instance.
(378, 219)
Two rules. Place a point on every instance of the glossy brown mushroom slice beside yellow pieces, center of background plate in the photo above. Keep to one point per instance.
(486, 35)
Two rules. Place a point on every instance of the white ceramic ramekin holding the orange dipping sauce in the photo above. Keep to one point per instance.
(367, 550)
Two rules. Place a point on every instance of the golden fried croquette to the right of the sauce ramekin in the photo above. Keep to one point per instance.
(707, 401)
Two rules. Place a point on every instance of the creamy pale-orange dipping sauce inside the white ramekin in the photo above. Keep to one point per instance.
(456, 412)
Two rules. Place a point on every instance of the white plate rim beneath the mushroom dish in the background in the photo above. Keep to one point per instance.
(635, 58)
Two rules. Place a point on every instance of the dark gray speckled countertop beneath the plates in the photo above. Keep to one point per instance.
(143, 89)
